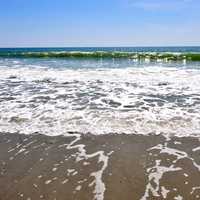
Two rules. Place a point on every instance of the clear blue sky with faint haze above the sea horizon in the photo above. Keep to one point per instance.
(39, 23)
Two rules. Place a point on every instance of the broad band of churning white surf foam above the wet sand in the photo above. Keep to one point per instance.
(100, 101)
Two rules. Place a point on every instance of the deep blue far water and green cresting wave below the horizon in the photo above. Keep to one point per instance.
(151, 54)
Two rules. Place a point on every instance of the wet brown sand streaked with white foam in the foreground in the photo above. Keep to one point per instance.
(109, 167)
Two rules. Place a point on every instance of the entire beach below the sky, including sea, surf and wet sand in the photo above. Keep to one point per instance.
(99, 126)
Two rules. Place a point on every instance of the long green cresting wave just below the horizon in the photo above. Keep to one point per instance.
(105, 54)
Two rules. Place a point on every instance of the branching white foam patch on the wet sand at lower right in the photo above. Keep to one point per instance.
(158, 170)
